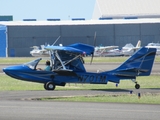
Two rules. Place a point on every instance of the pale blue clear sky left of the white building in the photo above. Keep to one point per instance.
(46, 9)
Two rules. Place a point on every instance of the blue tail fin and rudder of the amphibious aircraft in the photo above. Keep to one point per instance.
(140, 64)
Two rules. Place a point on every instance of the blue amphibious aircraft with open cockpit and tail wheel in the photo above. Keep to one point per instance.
(68, 67)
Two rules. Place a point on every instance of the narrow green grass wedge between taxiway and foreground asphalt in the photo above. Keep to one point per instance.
(114, 98)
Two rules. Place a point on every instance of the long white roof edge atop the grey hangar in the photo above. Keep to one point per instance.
(84, 22)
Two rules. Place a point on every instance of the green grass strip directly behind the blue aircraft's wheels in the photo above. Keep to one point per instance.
(8, 83)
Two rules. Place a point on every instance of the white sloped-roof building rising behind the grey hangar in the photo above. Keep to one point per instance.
(119, 9)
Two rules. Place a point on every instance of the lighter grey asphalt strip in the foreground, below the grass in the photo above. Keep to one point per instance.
(38, 110)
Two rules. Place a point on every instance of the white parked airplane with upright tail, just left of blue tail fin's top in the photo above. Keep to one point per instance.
(129, 49)
